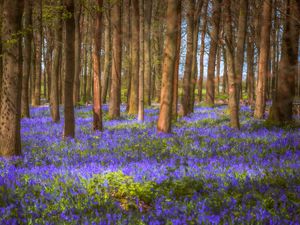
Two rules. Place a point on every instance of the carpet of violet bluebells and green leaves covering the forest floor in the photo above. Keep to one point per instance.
(203, 173)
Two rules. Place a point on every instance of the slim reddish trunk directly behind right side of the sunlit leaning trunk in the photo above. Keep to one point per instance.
(177, 62)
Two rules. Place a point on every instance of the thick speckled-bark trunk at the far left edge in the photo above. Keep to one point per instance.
(10, 137)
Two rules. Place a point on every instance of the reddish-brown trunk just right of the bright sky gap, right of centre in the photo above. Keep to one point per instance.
(210, 89)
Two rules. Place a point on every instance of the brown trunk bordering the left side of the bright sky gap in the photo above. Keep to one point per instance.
(187, 77)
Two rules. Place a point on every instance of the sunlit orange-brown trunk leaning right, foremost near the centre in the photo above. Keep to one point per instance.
(165, 115)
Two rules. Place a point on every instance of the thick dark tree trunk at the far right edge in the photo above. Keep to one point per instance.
(281, 110)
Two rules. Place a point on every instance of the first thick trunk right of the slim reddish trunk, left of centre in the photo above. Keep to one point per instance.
(115, 91)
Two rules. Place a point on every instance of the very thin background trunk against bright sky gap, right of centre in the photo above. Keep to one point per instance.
(202, 50)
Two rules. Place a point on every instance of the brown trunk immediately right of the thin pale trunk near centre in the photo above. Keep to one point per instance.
(147, 49)
